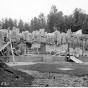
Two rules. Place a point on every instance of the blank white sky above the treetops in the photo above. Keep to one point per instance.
(27, 9)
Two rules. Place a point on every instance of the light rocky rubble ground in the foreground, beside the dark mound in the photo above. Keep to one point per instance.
(57, 80)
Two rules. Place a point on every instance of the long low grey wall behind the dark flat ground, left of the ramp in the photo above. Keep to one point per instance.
(41, 58)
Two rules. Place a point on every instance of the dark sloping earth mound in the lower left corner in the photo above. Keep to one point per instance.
(10, 77)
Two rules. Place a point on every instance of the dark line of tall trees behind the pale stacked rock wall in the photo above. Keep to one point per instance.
(76, 21)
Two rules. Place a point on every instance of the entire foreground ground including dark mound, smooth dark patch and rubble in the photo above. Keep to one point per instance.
(46, 76)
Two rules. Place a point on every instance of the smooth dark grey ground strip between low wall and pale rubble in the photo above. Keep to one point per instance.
(79, 69)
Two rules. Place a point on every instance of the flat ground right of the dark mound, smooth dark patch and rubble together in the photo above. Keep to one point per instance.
(49, 74)
